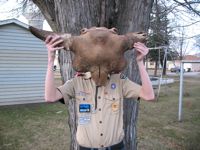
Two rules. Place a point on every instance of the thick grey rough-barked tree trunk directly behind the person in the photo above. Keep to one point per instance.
(73, 15)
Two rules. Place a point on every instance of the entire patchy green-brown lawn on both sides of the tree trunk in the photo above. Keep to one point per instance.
(44, 126)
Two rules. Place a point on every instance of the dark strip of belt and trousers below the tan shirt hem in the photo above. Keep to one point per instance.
(118, 146)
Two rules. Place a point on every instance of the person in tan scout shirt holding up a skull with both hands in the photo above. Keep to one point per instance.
(99, 108)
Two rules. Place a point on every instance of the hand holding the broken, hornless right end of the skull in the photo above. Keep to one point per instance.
(142, 51)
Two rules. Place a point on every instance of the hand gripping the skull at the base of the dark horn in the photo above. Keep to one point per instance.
(53, 44)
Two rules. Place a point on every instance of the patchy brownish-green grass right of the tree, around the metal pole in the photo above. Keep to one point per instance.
(158, 128)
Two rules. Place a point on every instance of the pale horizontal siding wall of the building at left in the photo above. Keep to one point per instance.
(23, 62)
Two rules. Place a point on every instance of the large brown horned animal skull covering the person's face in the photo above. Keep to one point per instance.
(97, 50)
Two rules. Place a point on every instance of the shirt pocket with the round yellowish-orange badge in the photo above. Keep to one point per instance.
(113, 103)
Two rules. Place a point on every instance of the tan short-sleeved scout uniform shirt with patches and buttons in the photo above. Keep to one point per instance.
(103, 126)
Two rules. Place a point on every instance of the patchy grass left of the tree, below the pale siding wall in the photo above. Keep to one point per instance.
(35, 127)
